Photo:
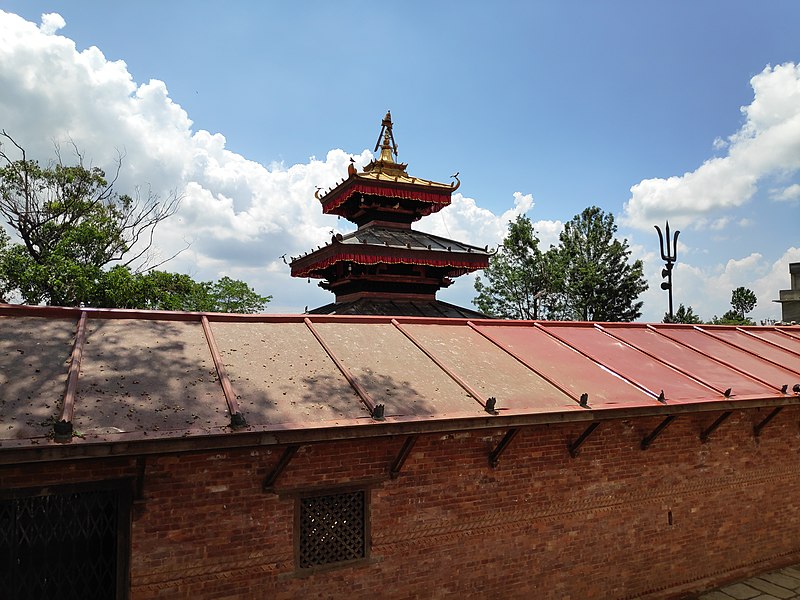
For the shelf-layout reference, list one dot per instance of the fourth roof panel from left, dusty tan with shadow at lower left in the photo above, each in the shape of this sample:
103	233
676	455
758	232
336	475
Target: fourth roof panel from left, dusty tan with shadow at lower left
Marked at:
394	371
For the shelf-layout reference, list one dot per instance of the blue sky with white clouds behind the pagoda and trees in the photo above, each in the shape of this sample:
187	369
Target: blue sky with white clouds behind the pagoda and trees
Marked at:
544	107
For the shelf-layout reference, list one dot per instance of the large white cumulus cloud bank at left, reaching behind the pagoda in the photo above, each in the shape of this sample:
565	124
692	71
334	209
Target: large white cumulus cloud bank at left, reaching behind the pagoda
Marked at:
238	217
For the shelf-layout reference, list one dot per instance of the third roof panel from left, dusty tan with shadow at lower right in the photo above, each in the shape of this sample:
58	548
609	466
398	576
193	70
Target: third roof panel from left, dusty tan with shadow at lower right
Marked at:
281	374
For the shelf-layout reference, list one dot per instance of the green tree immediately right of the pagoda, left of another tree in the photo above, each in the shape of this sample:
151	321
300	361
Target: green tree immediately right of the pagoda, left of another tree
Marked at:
519	278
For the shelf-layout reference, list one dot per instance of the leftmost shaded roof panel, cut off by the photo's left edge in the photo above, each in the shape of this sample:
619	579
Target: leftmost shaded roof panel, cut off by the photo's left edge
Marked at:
34	361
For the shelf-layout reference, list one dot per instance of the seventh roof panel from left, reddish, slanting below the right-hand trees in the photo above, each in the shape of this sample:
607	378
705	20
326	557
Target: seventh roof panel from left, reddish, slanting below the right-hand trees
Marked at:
631	364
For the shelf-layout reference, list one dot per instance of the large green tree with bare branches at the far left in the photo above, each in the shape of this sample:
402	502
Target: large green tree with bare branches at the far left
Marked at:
71	223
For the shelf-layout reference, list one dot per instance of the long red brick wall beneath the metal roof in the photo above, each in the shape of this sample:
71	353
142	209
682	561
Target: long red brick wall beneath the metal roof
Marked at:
615	522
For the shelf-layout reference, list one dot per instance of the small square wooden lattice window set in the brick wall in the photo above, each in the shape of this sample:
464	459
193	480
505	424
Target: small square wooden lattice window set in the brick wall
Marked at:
332	529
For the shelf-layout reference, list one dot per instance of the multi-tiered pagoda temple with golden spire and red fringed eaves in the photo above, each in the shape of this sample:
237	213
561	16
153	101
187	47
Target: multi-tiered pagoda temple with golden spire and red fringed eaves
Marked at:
385	267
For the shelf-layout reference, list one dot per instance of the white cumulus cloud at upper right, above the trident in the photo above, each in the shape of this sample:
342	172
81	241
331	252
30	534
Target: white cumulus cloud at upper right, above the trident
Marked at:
767	145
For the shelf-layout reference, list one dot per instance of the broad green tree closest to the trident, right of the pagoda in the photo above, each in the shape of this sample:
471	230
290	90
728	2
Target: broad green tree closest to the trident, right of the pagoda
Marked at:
600	283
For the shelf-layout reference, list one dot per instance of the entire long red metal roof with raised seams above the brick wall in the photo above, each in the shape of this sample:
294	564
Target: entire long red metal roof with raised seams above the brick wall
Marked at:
134	376
